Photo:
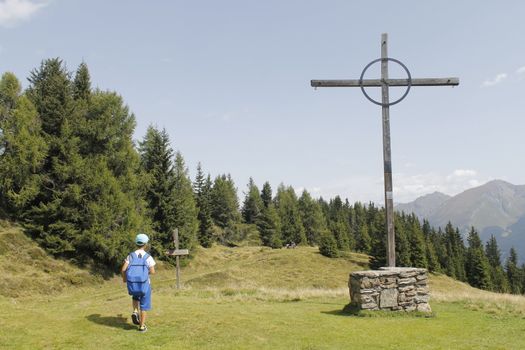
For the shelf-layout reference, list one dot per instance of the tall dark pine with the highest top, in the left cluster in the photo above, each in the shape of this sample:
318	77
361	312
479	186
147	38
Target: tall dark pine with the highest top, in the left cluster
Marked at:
56	221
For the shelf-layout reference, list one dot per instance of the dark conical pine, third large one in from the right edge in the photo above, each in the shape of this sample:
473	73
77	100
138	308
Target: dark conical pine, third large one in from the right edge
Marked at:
477	264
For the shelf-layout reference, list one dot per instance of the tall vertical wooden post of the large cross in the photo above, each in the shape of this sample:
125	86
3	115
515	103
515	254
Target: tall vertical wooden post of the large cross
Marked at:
387	159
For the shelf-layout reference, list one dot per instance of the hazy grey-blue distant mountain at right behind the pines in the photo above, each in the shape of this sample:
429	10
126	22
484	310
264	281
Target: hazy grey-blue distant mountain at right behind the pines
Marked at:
497	208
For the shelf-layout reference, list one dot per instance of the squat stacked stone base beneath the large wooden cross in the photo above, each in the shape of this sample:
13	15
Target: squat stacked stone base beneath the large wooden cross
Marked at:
390	288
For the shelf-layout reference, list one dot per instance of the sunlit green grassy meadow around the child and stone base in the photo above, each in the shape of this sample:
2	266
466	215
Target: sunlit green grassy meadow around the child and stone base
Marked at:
236	298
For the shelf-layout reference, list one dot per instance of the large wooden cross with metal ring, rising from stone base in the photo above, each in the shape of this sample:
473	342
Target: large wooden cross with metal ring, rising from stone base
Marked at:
385	103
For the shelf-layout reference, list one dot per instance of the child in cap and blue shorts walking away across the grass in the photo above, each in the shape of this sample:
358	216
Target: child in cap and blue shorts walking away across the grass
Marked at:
144	301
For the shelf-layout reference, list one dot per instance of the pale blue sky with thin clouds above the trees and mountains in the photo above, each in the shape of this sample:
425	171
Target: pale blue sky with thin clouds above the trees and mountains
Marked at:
229	80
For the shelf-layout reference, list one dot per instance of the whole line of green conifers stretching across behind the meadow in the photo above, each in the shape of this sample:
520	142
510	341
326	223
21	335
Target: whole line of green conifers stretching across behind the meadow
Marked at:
72	175
